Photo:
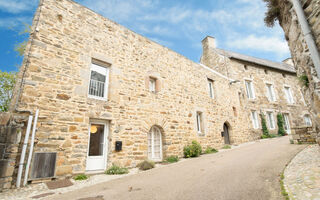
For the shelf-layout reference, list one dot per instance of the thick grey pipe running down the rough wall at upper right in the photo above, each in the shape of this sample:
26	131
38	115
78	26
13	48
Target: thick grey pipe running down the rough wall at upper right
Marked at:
307	35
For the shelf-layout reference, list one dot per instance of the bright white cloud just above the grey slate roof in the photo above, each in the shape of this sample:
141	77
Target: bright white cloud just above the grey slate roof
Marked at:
261	43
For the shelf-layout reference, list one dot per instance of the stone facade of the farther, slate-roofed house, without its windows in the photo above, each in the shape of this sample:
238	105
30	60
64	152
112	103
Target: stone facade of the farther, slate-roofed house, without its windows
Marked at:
260	75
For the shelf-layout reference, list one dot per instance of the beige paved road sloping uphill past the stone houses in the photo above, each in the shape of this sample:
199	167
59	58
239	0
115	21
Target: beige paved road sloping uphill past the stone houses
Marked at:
247	172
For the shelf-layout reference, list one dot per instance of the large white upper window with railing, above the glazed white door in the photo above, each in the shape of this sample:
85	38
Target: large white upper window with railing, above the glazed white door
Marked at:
98	87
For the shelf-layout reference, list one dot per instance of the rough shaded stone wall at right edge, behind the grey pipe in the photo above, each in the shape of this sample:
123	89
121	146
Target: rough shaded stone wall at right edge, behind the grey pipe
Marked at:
299	50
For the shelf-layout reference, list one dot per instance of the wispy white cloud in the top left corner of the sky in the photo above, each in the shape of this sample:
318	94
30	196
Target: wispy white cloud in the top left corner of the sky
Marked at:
17	6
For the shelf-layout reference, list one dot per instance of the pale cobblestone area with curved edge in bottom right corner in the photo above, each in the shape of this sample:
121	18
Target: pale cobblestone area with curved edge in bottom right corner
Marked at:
302	176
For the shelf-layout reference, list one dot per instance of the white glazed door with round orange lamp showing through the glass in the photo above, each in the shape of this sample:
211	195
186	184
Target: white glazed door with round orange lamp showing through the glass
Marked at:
98	135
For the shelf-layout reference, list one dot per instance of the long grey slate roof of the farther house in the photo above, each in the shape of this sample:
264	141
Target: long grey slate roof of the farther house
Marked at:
266	63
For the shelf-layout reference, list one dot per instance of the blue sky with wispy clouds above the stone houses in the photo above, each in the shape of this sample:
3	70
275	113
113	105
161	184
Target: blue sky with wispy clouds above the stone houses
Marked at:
179	25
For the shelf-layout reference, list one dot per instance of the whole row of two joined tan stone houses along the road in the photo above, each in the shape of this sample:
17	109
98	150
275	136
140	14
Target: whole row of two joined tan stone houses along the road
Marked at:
98	84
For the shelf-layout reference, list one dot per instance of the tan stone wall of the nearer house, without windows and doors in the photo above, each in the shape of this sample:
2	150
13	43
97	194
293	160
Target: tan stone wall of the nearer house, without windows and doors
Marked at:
66	39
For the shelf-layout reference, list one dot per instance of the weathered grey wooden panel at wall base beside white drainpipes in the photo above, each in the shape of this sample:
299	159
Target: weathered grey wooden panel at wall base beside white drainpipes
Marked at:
43	165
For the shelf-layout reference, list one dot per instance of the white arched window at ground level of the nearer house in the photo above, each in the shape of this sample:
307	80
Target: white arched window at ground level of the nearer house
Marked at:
154	144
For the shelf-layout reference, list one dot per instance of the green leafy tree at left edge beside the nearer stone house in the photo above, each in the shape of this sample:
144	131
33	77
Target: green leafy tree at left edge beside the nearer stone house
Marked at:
7	82
